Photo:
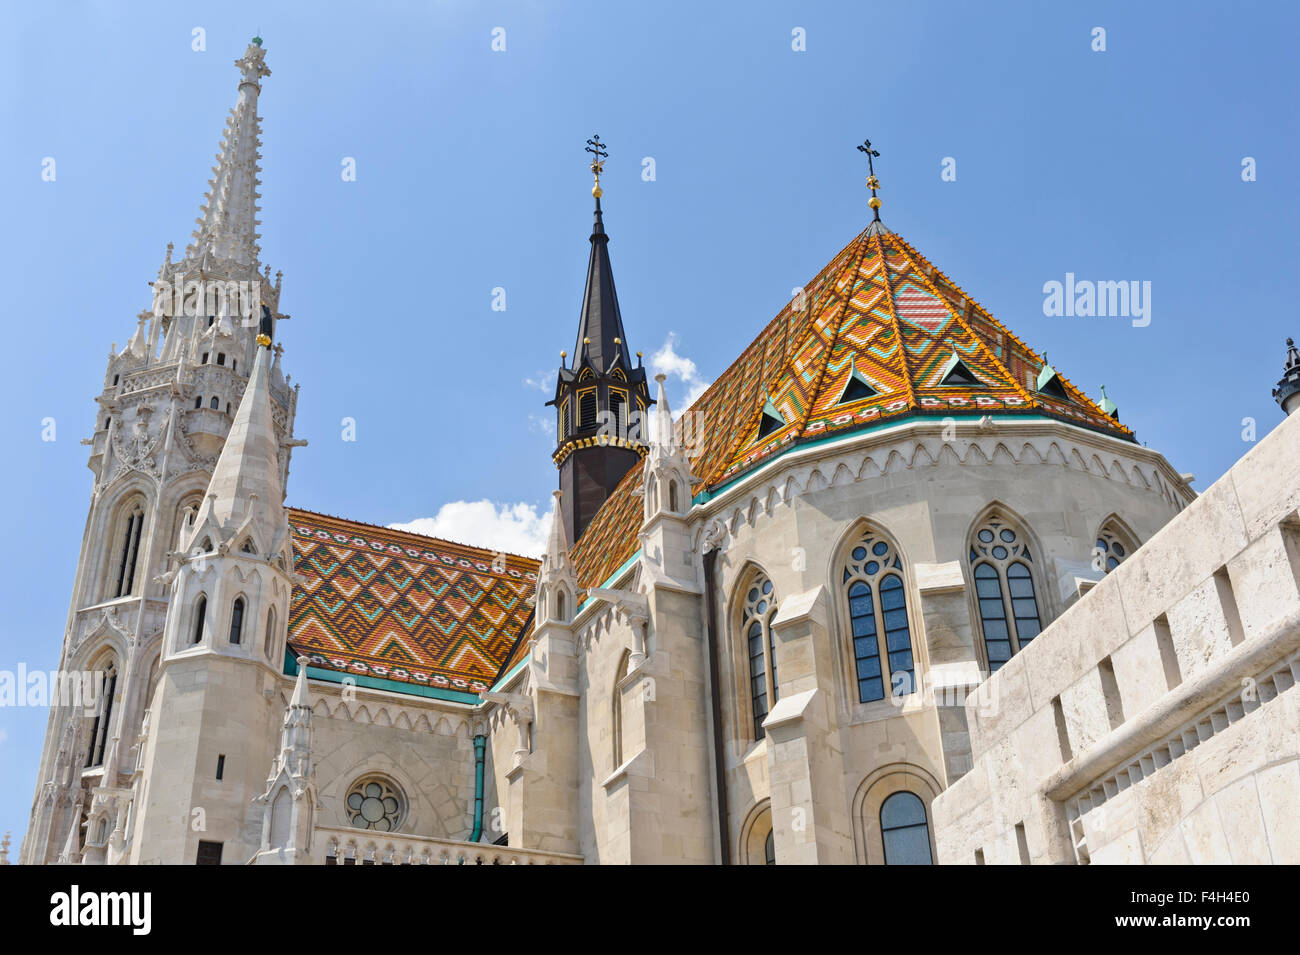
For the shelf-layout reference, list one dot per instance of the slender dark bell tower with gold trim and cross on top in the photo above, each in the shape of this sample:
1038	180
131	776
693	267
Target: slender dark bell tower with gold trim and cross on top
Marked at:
601	397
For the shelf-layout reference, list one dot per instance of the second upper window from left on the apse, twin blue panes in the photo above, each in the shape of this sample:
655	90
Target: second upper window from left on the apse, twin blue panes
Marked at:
878	609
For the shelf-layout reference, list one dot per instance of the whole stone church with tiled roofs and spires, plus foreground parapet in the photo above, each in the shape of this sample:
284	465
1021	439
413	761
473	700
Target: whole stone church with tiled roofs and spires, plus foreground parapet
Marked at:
761	633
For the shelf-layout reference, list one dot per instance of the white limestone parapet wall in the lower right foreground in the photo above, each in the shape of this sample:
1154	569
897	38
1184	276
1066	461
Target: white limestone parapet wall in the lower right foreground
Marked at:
1156	722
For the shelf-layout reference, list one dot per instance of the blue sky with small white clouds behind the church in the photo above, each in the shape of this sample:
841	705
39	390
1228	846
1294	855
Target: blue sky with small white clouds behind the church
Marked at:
1119	166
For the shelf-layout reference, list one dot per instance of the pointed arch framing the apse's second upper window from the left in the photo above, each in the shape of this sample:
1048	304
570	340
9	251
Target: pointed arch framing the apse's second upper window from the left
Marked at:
872	579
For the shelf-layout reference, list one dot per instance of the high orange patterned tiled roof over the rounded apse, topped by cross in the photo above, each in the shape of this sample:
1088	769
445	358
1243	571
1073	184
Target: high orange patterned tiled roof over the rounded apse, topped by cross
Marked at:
879	318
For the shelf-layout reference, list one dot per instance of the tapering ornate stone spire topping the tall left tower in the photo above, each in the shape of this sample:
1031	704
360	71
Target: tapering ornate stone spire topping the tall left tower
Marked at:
228	225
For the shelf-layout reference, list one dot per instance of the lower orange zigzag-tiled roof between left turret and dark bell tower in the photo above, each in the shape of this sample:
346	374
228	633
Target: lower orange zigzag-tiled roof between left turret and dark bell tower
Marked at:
404	607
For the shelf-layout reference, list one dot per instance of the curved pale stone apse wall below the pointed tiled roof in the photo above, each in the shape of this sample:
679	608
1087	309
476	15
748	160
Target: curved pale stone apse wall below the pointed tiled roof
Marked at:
926	493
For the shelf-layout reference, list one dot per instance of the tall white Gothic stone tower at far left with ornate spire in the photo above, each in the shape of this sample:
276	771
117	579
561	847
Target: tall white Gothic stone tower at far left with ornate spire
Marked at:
166	410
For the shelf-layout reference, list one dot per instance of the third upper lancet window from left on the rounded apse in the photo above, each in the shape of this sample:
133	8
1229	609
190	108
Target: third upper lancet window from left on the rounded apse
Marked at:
1002	565
